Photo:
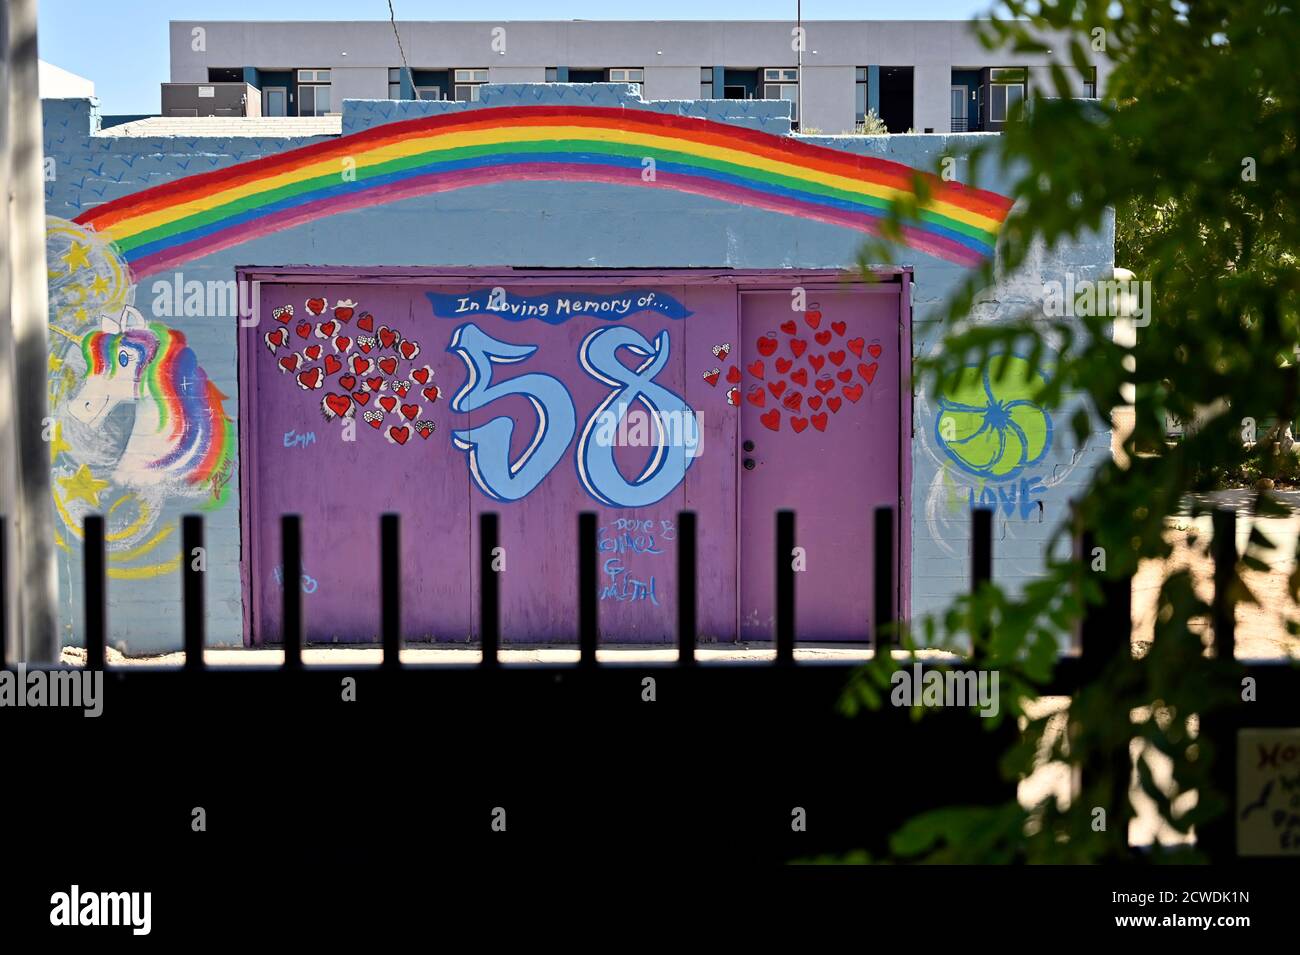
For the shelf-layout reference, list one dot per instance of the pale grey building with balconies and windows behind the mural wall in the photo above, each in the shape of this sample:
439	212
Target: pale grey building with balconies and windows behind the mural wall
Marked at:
917	76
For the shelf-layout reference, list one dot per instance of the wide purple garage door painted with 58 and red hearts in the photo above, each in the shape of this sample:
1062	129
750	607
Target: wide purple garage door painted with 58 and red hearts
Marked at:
541	398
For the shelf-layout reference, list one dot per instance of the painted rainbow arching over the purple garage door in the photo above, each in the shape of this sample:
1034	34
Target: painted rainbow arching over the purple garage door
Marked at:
179	222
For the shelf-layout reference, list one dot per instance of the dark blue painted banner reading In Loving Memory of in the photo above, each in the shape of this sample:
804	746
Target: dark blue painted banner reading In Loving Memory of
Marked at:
557	309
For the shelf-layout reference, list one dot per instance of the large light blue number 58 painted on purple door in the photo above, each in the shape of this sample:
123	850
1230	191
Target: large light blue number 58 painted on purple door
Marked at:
664	424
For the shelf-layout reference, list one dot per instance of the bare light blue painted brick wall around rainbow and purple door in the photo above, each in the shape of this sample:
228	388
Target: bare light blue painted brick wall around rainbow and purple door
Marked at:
554	225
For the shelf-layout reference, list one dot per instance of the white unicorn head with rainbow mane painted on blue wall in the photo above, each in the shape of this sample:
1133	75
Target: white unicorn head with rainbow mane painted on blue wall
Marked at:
183	440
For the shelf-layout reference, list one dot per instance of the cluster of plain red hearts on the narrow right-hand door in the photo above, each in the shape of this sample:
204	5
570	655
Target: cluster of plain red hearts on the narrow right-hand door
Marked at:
805	381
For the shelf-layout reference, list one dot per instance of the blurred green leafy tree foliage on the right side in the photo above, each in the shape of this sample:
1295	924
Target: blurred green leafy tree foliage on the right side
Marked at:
1195	153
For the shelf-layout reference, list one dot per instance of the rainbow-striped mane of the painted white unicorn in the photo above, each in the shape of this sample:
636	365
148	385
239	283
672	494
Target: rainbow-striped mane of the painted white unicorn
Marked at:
188	403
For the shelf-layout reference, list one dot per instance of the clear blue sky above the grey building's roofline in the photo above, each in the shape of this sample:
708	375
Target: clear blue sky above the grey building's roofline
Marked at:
122	45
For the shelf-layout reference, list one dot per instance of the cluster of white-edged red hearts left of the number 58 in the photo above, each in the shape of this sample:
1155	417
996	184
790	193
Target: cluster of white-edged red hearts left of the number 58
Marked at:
354	367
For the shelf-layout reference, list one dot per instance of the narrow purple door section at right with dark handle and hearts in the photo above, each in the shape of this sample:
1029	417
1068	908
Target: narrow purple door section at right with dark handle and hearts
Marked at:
820	432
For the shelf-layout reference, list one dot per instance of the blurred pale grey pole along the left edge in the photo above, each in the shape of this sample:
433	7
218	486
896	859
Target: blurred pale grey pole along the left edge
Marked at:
24	345
